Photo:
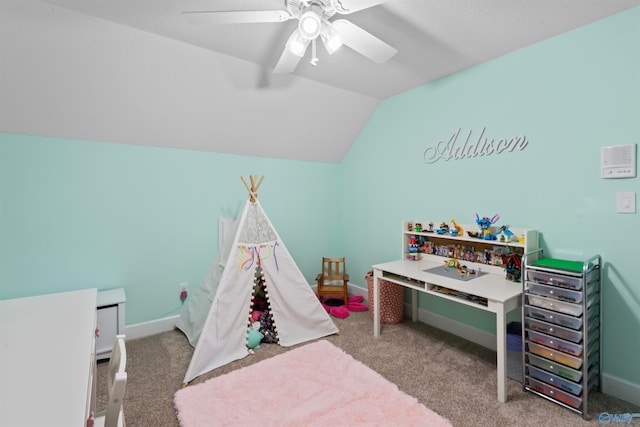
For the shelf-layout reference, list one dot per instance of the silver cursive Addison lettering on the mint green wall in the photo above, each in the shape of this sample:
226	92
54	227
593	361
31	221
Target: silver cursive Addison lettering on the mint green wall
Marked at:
481	146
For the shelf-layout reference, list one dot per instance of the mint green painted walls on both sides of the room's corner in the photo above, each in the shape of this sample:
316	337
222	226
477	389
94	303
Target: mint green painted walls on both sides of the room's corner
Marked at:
75	214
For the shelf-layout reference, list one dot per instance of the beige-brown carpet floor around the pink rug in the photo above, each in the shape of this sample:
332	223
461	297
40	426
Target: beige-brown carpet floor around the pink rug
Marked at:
447	374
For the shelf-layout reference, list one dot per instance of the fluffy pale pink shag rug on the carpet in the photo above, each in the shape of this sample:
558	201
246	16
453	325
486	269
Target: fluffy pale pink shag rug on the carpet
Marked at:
317	384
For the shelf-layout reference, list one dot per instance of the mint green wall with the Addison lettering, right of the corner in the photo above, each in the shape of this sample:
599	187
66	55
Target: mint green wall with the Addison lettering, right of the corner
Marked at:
569	96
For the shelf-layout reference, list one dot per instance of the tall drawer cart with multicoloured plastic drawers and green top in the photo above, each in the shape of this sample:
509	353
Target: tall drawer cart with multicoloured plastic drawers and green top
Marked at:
561	335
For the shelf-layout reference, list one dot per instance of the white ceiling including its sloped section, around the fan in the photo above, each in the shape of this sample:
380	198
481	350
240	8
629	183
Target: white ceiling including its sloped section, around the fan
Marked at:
211	87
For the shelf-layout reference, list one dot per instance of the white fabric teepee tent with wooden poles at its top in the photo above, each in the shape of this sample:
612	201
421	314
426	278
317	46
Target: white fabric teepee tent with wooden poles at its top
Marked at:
297	314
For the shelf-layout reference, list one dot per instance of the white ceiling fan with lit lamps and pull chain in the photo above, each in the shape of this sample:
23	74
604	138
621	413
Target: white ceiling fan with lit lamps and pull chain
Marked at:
313	22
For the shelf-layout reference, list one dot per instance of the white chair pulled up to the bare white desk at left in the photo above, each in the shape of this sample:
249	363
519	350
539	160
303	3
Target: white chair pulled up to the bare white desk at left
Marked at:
113	416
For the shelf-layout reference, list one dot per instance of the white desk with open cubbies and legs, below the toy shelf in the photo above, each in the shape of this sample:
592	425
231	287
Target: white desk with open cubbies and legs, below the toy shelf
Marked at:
502	297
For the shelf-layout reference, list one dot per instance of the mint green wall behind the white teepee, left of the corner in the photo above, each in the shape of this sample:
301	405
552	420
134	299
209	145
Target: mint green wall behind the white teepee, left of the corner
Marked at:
77	214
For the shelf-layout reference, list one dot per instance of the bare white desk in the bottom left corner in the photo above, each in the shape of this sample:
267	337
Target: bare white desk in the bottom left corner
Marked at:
47	359
